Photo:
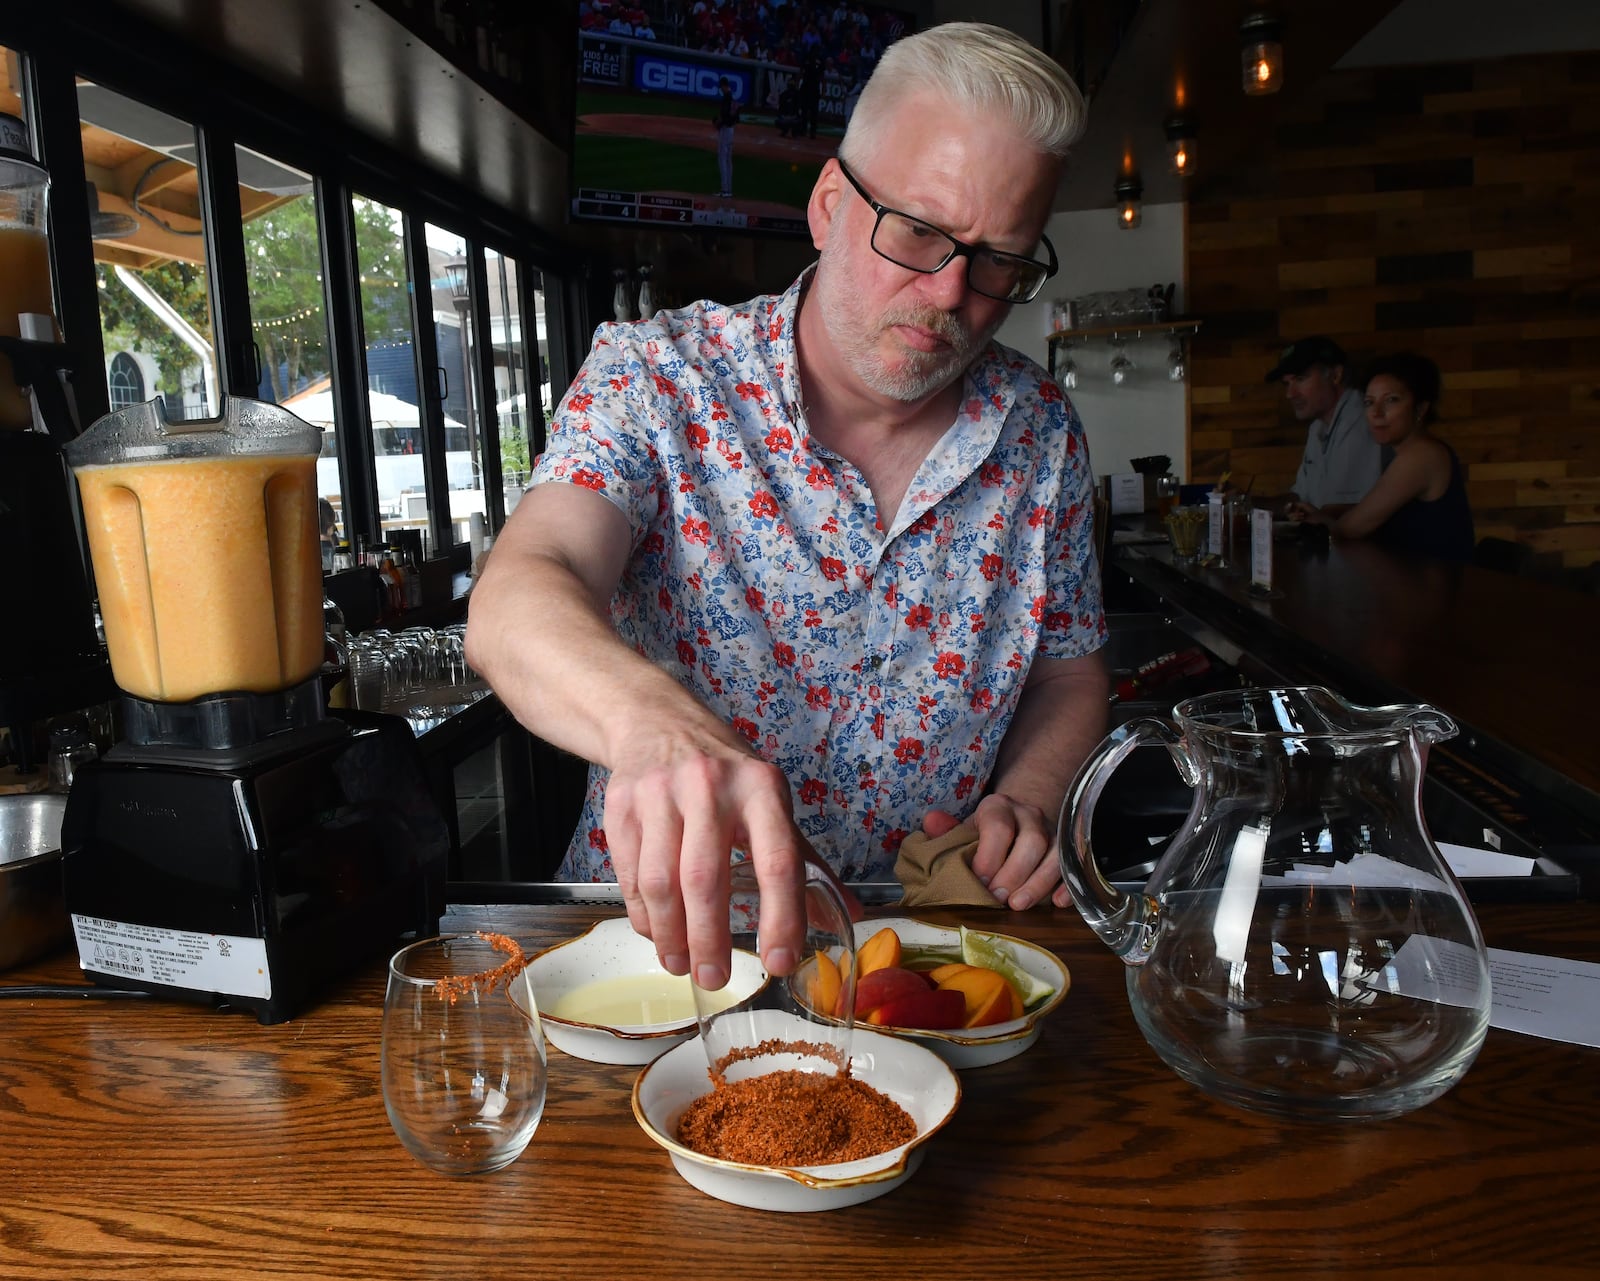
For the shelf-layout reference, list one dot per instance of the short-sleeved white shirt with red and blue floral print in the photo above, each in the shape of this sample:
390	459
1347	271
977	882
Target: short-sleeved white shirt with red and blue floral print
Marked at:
879	669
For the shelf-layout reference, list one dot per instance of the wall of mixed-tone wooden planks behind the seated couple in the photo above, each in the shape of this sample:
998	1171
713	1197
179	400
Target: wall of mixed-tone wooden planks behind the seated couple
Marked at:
1449	210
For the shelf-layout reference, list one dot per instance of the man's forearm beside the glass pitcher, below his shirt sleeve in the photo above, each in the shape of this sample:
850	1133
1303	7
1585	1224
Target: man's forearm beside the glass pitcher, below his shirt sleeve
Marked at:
1060	719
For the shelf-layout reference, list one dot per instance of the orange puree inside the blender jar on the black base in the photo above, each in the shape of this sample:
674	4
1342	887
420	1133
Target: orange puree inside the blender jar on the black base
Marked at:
210	573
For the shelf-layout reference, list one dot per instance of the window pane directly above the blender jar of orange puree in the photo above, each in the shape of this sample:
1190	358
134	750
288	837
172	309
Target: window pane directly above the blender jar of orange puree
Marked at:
151	245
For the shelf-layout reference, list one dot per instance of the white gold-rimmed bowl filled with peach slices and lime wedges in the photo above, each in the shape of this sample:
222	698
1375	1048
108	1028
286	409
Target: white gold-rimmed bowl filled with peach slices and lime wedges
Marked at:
972	997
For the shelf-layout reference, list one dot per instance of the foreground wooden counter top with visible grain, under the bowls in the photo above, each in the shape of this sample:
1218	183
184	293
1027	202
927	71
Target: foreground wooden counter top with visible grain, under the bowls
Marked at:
143	1139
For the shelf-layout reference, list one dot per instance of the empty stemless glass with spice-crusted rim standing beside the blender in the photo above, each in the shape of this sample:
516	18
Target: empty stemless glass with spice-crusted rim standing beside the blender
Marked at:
463	1053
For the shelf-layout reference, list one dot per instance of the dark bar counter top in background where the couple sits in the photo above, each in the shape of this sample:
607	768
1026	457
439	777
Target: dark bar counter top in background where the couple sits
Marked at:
1511	660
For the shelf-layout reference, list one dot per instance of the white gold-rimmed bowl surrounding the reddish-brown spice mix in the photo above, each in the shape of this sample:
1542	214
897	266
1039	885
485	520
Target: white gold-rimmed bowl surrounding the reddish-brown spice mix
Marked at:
908	1074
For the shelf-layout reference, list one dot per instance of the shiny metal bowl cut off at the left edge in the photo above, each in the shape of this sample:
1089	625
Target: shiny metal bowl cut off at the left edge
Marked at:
33	914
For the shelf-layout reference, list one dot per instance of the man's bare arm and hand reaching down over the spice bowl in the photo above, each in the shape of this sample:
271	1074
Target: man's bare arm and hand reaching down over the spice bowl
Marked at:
686	789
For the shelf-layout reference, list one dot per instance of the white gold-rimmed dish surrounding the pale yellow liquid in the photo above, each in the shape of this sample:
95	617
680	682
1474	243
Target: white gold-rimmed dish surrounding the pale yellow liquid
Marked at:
614	951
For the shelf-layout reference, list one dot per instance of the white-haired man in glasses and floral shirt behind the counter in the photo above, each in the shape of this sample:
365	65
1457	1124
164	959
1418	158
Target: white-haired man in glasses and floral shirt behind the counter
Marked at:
806	575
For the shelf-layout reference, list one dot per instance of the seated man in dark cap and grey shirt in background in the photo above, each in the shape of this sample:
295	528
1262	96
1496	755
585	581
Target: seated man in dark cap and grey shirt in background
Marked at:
1342	461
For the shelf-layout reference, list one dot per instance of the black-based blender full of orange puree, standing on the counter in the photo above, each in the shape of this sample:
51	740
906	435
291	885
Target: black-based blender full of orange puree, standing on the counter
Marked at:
239	845
